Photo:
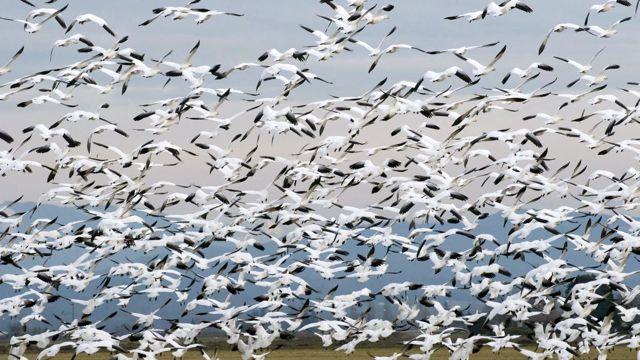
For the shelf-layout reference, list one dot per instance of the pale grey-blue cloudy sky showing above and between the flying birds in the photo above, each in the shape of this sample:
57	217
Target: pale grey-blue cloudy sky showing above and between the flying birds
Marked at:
275	24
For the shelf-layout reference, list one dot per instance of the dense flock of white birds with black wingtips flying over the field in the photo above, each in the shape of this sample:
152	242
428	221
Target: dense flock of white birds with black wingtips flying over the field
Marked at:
306	197
